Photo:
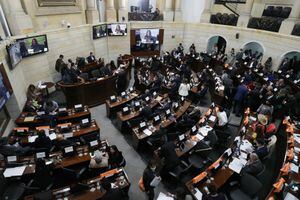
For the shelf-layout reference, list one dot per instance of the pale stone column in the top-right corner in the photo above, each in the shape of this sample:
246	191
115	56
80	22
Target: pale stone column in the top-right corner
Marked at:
287	25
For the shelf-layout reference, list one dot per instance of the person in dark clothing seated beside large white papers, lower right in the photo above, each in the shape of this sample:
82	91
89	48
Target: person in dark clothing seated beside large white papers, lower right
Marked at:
254	166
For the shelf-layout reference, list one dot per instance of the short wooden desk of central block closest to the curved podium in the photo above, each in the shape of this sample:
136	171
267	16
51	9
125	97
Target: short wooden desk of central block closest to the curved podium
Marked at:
113	108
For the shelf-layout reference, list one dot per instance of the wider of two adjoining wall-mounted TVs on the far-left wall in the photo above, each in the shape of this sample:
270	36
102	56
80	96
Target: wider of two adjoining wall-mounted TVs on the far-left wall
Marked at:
33	45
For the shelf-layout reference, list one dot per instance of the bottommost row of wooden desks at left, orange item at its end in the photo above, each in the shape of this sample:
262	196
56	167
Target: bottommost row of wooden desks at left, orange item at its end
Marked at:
117	177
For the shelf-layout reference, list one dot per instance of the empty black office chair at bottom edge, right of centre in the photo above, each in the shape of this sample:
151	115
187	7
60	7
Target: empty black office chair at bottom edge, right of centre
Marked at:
248	189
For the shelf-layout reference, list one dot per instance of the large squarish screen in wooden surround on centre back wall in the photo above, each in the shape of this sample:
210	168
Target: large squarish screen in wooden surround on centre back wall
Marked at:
147	40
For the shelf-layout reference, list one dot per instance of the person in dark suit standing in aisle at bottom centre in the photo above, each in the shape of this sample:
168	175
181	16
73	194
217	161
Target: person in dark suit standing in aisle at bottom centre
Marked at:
148	175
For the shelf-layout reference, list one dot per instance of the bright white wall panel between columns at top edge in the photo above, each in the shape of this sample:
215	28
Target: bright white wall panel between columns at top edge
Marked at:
192	10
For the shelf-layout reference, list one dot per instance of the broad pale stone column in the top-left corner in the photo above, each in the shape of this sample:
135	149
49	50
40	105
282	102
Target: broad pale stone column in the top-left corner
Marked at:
19	22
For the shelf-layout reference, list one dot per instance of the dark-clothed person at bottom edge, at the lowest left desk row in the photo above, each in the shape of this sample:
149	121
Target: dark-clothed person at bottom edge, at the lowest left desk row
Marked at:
112	193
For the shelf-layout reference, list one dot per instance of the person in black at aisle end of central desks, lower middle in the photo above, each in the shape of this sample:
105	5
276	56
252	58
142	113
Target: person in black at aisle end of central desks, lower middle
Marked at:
168	151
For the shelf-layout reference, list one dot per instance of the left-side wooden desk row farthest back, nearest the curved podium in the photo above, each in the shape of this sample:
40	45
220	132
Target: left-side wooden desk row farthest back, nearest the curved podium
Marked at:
34	119
